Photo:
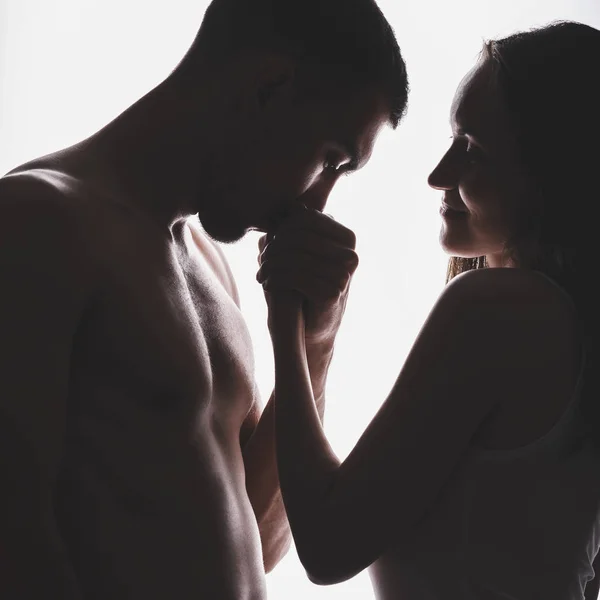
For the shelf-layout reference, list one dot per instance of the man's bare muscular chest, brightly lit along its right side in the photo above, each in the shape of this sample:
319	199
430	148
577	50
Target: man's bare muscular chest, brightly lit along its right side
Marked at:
171	336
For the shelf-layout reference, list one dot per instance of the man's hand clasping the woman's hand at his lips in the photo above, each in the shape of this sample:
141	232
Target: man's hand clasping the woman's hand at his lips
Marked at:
313	255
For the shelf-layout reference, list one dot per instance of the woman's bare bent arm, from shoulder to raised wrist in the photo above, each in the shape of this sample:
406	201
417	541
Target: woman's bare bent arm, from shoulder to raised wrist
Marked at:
488	338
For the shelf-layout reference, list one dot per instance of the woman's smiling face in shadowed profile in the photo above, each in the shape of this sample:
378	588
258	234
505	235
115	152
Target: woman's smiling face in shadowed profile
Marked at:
486	193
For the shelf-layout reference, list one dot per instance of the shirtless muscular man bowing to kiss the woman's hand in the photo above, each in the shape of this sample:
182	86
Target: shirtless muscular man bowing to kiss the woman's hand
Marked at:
134	458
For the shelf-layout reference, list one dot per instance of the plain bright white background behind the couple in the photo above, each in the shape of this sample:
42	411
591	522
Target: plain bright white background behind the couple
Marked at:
69	66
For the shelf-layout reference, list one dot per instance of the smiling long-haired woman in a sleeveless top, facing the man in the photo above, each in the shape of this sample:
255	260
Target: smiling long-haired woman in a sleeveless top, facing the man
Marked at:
480	475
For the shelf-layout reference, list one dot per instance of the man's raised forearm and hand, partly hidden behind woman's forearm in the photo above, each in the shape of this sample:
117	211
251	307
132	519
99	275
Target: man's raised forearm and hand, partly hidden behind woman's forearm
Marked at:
316	257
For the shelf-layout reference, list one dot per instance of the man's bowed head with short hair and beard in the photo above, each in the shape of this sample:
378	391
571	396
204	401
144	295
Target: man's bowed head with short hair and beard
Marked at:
299	91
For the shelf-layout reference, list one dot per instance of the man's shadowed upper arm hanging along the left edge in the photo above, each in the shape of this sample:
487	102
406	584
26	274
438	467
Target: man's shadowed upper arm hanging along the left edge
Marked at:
40	305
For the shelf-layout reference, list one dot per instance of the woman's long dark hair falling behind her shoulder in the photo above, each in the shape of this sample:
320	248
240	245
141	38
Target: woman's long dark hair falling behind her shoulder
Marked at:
549	79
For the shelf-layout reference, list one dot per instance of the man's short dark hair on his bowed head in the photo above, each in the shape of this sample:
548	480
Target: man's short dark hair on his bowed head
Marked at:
348	38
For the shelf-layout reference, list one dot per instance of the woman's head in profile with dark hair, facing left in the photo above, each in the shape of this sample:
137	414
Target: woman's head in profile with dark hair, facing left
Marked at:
519	180
